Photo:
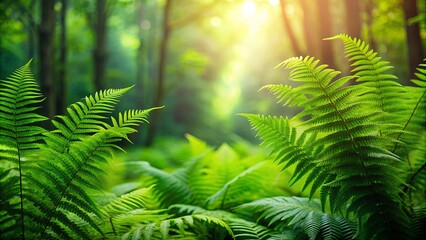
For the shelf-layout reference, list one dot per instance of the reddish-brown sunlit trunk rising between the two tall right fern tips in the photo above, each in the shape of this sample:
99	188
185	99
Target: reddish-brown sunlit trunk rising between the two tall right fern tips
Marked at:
325	27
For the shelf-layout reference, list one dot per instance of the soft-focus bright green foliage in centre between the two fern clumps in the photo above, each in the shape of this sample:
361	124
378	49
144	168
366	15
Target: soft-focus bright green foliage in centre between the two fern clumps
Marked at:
213	179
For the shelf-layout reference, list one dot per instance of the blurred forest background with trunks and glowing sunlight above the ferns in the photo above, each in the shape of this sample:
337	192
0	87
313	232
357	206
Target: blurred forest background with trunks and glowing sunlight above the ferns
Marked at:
203	59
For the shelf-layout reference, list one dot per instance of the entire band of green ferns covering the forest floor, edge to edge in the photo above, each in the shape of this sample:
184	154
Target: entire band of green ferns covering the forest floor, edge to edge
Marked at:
350	165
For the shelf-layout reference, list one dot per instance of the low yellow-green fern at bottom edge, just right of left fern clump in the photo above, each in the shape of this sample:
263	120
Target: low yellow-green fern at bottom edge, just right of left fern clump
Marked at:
135	216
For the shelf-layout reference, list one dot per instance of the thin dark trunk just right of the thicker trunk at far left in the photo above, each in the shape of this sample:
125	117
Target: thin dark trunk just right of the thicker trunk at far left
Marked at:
61	98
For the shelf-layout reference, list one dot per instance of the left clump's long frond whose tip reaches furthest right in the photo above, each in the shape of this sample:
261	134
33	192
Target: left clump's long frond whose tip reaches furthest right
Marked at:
61	188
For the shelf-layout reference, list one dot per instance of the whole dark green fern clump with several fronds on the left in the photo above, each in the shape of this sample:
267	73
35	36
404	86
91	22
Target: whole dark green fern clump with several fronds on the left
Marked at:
47	176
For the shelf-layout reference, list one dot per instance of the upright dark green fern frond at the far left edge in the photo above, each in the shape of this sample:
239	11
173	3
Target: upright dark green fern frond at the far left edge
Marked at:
19	98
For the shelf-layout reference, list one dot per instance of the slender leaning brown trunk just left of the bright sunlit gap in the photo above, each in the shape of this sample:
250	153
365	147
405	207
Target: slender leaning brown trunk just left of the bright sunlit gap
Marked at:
159	94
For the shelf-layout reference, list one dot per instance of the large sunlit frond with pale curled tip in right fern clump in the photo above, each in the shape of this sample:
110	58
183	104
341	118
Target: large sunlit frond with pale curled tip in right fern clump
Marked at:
356	154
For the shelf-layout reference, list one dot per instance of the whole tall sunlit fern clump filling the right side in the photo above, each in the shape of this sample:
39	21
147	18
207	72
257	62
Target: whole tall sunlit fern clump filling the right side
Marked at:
353	142
